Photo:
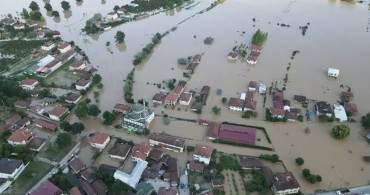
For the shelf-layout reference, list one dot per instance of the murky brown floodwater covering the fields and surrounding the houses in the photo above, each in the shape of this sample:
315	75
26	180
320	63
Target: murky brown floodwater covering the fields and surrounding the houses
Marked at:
336	37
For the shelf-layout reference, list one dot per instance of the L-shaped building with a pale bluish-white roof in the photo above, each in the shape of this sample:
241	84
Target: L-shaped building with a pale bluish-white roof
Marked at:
133	178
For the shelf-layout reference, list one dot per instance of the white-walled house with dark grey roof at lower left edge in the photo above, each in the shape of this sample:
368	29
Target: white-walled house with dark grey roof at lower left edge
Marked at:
10	168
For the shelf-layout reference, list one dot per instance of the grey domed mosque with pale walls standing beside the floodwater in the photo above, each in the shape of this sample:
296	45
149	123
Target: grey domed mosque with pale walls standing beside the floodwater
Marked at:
138	118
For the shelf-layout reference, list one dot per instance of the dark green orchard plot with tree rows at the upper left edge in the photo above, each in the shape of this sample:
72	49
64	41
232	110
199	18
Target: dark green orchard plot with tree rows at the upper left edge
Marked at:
18	49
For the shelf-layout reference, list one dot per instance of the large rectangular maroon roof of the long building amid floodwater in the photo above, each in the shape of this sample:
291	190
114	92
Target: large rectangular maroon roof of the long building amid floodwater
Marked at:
239	134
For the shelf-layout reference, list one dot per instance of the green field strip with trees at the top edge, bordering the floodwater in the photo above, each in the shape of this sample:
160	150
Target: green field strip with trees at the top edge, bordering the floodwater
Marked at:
146	6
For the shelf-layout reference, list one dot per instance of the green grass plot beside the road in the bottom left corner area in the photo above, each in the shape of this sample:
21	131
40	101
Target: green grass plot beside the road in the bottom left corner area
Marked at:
33	173
